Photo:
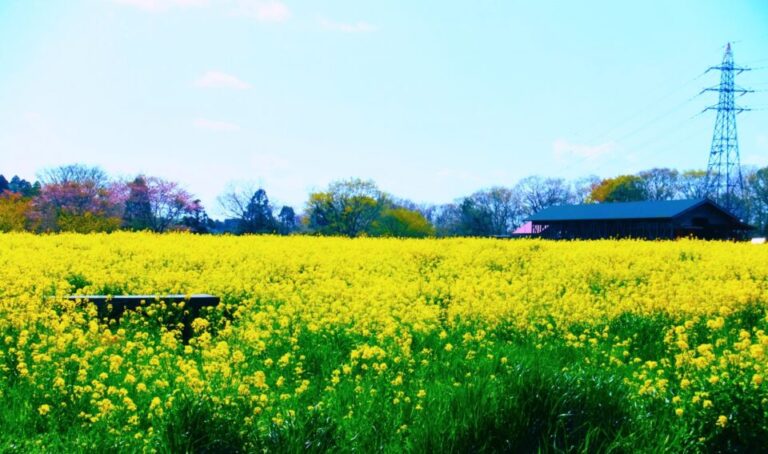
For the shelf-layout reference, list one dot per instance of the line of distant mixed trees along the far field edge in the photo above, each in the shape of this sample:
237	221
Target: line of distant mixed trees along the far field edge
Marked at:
78	198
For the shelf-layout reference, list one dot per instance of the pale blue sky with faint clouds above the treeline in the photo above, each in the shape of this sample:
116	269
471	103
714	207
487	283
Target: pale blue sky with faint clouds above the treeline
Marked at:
432	100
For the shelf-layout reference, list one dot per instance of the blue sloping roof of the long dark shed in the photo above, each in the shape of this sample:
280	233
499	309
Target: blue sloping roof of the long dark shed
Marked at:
662	209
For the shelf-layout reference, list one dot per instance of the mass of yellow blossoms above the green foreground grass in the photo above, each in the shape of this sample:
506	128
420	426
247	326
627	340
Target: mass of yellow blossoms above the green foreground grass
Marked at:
394	303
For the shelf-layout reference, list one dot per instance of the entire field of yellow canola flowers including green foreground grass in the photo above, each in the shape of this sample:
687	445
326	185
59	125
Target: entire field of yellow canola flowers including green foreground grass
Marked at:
384	345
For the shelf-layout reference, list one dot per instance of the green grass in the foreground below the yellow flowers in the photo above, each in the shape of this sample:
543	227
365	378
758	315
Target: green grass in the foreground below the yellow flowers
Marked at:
547	396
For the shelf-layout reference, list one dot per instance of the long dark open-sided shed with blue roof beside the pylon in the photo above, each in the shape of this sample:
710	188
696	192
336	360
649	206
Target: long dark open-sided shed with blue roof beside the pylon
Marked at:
668	219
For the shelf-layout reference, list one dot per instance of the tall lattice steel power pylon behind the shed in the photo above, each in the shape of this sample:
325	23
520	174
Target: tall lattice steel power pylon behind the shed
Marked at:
724	182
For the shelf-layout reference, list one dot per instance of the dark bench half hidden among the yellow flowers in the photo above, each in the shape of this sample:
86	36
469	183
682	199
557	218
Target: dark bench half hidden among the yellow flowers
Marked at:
113	307
